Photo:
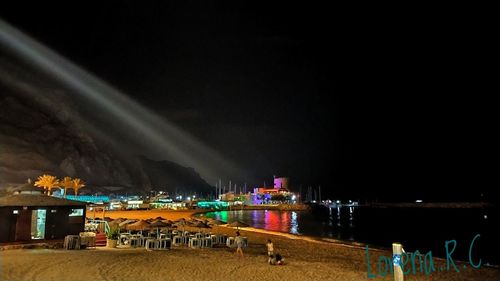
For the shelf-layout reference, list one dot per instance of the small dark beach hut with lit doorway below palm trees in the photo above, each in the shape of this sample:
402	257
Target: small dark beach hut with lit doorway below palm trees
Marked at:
35	217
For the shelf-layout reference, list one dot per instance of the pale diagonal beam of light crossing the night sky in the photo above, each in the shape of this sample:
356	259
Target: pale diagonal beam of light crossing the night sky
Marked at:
167	140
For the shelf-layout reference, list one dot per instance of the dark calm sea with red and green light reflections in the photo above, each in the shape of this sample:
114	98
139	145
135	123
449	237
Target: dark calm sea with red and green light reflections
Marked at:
419	229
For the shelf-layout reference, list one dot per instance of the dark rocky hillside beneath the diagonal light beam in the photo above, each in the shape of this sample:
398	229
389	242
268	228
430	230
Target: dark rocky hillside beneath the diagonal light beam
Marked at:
37	136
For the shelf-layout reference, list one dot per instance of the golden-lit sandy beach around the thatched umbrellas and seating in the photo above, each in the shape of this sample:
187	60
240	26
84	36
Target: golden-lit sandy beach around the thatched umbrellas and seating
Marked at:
306	259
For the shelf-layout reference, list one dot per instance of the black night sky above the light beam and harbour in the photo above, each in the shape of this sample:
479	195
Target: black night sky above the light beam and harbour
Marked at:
365	104
